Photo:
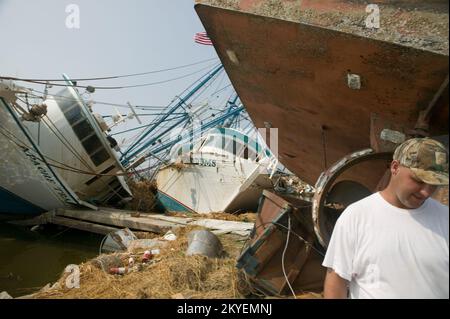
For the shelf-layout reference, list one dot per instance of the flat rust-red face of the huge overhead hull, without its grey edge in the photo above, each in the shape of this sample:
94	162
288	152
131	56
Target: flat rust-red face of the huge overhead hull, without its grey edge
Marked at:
294	76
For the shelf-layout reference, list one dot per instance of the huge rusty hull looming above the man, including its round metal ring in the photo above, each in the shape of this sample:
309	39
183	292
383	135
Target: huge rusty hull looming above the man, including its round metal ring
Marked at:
341	95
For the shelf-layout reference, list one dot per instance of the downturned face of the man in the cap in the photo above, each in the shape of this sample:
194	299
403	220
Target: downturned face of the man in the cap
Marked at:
410	191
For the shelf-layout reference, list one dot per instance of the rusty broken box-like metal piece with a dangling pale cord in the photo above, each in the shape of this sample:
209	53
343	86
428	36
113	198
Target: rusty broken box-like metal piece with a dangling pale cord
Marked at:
261	260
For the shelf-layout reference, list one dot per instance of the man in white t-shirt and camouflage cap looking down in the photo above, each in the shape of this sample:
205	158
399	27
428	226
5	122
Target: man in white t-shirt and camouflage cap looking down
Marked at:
395	243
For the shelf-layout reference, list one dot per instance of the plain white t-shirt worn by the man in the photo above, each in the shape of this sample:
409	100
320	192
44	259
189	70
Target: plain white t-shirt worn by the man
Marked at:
389	252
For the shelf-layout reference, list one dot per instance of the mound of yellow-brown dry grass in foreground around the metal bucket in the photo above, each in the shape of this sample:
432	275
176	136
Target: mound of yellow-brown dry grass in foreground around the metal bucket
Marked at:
169	273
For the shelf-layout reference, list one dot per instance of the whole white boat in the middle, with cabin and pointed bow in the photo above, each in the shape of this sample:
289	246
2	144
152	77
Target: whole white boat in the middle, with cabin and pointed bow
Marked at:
224	171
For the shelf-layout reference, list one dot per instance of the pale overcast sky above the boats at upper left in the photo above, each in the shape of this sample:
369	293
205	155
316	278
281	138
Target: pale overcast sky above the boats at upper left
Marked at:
114	37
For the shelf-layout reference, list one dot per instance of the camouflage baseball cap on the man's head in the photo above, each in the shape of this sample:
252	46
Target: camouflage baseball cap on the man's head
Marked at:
427	158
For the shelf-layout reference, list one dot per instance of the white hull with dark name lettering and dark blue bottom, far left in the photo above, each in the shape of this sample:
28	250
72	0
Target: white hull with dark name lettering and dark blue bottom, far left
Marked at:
28	186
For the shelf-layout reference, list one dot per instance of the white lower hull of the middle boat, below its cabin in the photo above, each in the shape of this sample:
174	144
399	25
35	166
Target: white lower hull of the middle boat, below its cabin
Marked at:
203	190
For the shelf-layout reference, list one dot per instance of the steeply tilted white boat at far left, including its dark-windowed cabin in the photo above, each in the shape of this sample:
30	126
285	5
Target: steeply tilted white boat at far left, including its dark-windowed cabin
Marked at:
55	154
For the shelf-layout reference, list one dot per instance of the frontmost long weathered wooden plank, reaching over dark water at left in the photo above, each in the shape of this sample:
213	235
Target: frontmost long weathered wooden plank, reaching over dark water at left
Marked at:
122	220
